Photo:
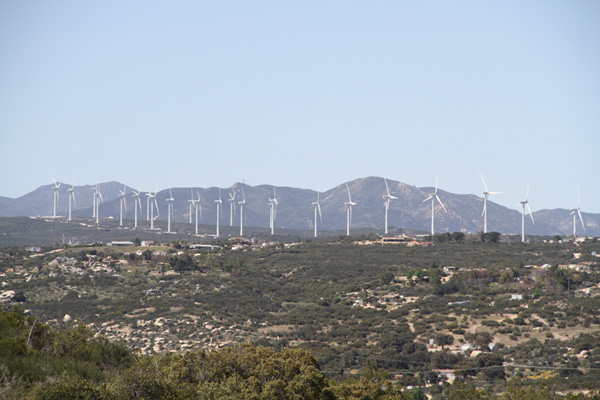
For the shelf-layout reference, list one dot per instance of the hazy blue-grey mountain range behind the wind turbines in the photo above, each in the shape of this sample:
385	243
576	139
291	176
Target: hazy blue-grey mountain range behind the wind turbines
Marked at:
295	210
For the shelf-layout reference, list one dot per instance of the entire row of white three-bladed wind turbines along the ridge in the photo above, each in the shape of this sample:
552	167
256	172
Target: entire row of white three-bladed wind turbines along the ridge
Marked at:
196	208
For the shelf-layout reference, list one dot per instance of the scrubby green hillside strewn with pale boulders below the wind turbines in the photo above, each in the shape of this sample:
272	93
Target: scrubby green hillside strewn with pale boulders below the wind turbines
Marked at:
334	319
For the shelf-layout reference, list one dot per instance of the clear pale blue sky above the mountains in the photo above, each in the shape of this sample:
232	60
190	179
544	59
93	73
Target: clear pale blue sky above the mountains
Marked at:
307	94
